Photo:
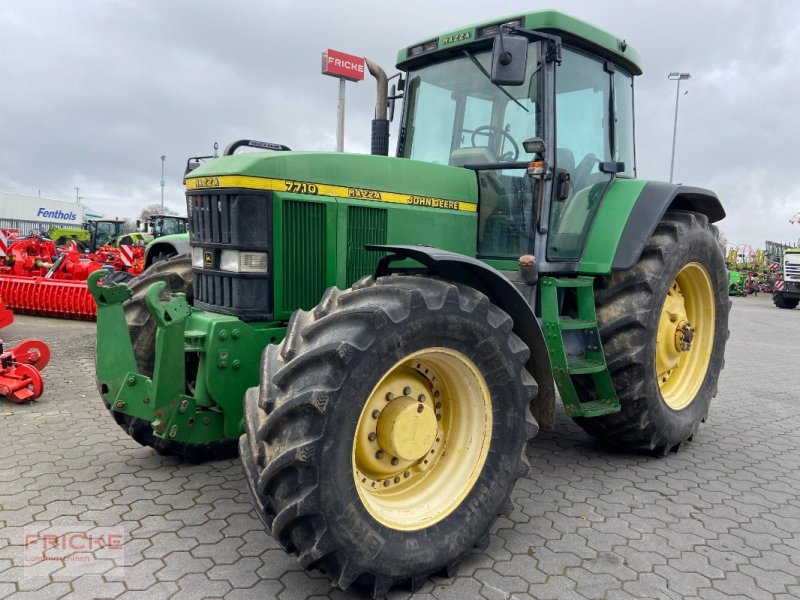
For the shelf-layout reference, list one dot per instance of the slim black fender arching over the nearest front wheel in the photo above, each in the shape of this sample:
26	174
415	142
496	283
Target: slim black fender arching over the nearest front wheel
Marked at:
503	293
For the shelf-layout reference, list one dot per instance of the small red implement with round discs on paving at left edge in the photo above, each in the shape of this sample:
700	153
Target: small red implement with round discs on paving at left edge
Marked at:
21	366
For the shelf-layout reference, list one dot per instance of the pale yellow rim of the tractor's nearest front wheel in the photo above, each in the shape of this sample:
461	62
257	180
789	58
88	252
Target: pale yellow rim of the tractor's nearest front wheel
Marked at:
422	439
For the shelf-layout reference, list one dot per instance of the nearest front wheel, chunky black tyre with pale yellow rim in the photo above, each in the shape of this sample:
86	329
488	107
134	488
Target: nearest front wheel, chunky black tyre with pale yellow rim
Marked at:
388	430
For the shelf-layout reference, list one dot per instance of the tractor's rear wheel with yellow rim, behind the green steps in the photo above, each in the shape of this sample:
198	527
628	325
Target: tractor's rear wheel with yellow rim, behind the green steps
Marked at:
664	325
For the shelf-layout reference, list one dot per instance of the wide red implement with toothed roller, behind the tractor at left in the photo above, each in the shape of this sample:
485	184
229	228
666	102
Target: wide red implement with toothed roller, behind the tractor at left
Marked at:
36	278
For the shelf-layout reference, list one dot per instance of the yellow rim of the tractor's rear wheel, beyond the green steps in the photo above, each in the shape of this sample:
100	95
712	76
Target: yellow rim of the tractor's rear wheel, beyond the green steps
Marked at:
685	336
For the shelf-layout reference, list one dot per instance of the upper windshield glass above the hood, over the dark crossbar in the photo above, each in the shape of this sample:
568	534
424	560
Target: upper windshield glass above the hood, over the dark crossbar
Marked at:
457	116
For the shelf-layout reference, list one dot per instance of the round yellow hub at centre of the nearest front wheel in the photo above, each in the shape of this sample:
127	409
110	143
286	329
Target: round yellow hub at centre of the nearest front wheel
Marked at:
407	428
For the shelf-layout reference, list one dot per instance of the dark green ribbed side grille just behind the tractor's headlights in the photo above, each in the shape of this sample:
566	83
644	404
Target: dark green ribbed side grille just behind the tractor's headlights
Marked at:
304	254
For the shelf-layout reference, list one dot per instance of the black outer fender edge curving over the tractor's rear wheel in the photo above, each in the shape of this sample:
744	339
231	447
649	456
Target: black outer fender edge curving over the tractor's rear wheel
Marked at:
651	205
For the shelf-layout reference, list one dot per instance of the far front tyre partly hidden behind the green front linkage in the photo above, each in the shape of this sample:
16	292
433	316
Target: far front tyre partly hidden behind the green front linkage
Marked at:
176	272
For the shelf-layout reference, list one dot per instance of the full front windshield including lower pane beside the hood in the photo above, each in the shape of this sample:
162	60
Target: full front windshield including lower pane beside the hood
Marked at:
457	116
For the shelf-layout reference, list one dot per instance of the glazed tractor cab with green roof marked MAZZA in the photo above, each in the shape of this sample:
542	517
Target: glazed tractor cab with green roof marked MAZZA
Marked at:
545	133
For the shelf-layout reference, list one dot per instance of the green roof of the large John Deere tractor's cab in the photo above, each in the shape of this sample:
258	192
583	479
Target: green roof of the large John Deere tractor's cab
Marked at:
573	31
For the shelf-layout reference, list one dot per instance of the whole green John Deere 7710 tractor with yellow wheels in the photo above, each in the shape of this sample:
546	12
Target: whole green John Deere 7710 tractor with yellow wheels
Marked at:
395	325
